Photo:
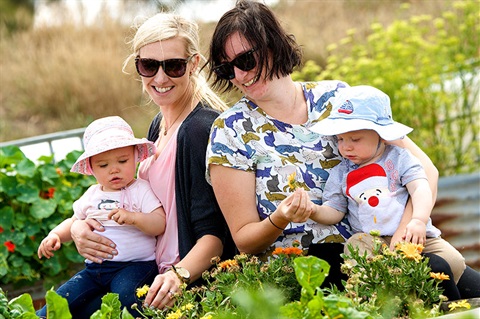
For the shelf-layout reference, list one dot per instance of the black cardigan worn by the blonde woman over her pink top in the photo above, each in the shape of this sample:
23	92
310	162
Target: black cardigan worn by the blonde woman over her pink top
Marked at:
198	212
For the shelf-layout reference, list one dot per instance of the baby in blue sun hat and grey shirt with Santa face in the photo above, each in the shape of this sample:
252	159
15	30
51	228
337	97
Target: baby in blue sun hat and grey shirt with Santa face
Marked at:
375	179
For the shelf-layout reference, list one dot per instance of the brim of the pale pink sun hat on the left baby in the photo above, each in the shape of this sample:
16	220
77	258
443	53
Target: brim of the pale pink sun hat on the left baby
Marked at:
144	149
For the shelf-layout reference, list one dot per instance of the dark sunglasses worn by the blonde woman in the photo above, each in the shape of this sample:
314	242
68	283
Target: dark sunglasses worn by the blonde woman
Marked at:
174	68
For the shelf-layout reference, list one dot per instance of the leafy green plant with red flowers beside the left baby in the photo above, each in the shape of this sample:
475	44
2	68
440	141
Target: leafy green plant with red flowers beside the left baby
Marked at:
34	198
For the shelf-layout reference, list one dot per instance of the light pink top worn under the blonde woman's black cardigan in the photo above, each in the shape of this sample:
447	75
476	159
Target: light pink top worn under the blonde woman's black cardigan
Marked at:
160	173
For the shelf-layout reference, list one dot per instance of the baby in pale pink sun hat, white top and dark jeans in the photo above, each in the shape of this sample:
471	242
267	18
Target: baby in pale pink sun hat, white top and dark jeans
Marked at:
131	215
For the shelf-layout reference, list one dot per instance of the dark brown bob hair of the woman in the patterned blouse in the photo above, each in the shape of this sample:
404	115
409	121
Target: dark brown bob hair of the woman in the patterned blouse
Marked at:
259	26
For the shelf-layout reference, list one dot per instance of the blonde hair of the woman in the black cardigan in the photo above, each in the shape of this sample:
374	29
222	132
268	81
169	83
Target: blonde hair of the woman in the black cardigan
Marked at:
164	26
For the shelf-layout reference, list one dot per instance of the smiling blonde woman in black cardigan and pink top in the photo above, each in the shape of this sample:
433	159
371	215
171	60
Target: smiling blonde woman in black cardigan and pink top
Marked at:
166	53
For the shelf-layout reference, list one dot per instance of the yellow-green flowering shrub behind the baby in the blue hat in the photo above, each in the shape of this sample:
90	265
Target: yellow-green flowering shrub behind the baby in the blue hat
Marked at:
429	68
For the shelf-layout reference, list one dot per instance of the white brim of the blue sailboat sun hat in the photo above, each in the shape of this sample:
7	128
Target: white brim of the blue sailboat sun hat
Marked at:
389	132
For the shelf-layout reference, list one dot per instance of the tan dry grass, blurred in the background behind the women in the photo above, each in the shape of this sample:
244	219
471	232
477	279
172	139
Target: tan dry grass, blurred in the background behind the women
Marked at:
60	78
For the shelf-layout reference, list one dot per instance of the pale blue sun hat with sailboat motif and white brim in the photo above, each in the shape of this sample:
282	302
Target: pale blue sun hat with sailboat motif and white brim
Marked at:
362	107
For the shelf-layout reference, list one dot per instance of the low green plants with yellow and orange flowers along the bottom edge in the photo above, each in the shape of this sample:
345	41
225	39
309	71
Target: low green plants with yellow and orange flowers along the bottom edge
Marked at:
389	284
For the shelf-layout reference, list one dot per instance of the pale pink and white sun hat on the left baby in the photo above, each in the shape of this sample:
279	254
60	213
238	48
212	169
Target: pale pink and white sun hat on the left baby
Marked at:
106	134
